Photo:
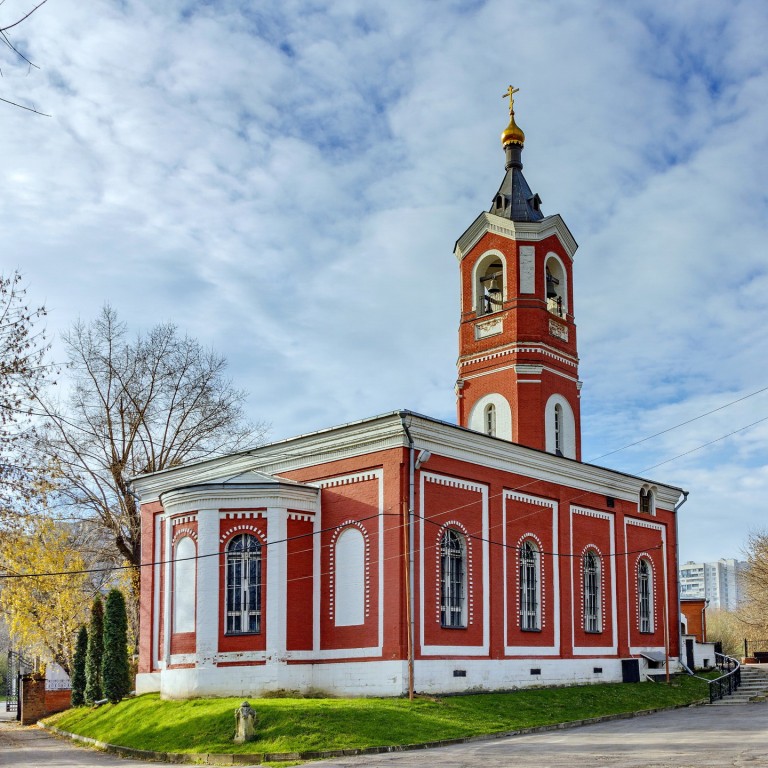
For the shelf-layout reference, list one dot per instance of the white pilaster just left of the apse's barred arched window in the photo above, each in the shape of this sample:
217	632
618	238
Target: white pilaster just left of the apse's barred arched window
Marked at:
207	613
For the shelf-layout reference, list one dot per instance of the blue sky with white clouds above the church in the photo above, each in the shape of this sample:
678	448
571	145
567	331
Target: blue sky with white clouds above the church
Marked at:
285	181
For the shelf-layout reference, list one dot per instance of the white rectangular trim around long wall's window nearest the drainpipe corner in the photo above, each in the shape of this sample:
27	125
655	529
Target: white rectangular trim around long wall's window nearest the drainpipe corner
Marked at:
451	650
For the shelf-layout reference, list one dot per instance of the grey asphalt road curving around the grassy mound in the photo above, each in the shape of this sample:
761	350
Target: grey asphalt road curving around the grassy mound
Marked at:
696	737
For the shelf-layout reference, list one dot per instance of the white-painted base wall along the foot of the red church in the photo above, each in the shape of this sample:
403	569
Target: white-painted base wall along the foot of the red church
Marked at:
379	678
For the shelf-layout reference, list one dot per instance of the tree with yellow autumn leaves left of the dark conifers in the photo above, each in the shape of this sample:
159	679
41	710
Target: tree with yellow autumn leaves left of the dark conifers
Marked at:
44	612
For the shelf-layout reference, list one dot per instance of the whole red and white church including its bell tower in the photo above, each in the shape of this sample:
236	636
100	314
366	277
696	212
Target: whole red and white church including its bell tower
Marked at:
401	552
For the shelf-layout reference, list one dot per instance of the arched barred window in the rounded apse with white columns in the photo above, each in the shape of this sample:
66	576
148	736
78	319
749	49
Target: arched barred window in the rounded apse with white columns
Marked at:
243	564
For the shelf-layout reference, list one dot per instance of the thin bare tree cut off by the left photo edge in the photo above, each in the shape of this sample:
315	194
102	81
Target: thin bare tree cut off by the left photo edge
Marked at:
22	375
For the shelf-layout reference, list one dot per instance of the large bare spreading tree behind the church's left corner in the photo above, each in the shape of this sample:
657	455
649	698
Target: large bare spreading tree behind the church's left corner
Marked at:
136	406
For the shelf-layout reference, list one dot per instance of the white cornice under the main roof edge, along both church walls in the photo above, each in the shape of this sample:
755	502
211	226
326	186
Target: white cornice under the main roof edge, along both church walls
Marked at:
386	432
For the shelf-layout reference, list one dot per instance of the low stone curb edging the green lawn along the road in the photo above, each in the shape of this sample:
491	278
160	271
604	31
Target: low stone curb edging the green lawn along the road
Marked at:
257	758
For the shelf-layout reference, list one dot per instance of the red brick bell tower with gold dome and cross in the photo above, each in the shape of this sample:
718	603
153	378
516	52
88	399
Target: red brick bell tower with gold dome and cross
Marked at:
518	365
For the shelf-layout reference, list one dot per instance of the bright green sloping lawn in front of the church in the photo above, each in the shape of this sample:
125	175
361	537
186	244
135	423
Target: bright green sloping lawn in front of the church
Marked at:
296	724
